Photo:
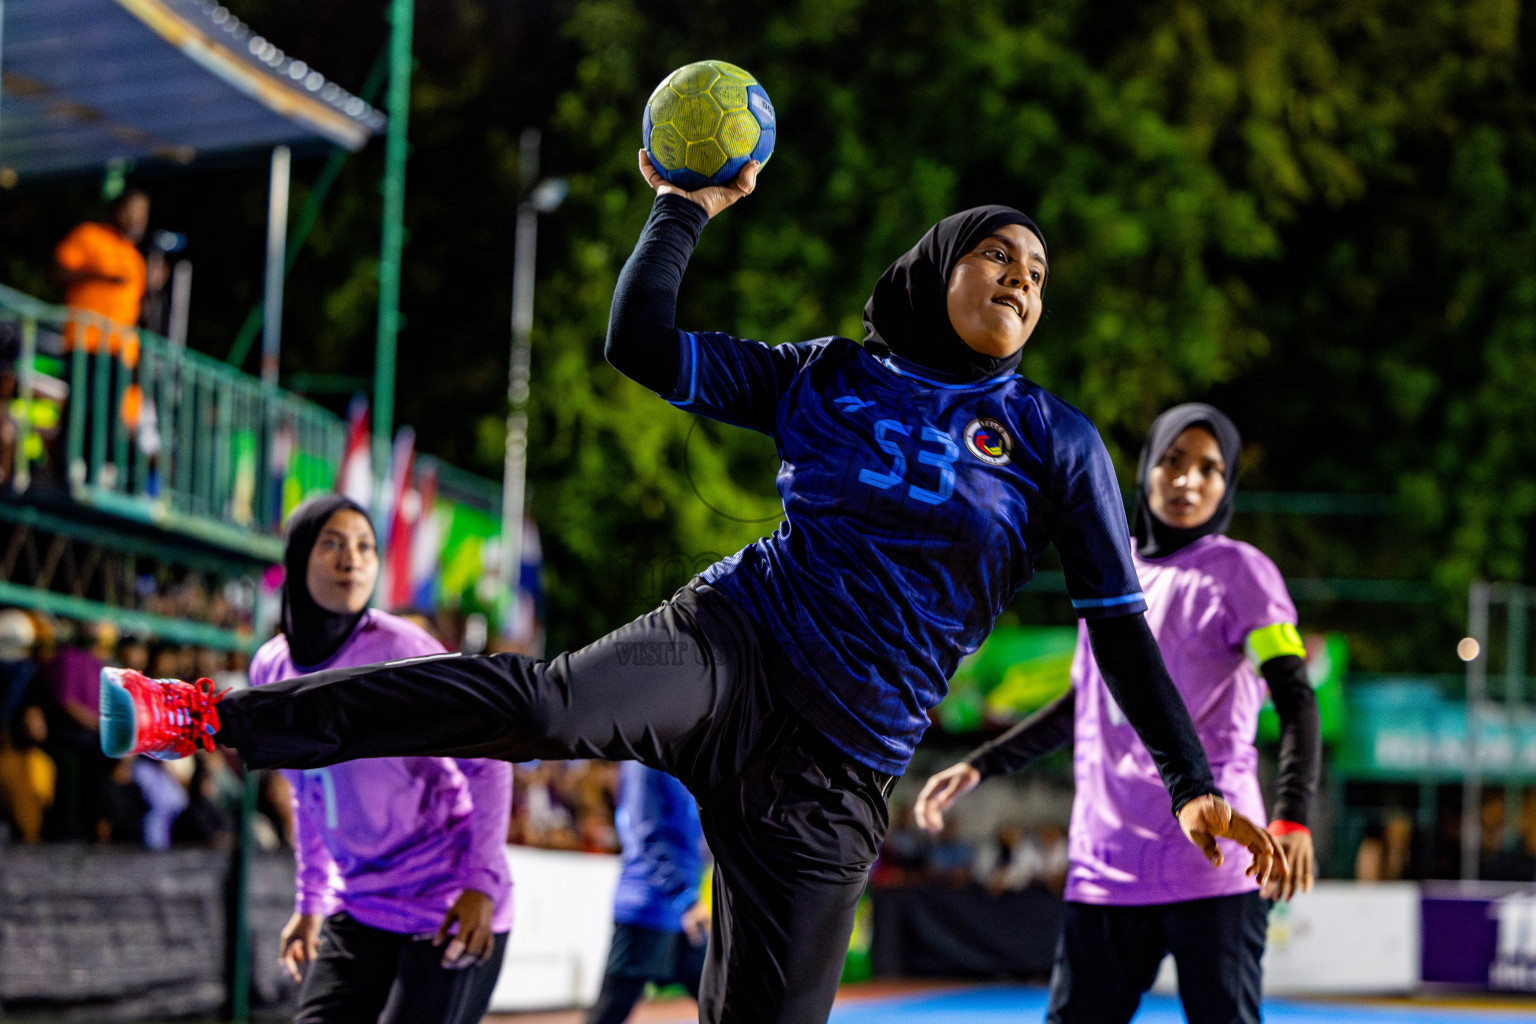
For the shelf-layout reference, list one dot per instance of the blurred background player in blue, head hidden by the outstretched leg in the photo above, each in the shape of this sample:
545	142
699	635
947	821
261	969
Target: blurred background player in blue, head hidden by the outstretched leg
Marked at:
660	922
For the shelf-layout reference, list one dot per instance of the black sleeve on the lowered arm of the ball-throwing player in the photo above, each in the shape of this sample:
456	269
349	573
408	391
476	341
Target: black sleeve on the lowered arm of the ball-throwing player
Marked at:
1133	669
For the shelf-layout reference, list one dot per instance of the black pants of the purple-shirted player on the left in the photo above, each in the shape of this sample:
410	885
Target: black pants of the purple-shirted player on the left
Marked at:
366	976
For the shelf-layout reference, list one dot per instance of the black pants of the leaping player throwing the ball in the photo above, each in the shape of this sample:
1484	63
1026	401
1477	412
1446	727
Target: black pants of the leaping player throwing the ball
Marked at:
793	822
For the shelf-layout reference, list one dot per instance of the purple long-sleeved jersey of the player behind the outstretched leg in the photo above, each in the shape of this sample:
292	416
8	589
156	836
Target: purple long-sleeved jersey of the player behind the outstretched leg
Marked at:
394	841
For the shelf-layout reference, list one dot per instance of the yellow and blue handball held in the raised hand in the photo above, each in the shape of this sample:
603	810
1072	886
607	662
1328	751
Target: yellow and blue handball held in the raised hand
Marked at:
706	122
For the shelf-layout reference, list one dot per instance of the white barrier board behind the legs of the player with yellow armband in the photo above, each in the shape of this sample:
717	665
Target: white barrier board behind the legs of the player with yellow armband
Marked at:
1343	939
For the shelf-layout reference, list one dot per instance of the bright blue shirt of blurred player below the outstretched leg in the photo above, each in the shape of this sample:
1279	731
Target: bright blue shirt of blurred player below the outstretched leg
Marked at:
663	860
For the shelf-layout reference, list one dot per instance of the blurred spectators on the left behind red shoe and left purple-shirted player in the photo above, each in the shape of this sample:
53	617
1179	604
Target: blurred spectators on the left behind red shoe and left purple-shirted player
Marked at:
58	787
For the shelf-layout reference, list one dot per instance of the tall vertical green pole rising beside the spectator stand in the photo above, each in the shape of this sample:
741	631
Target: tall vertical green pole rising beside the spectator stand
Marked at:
396	153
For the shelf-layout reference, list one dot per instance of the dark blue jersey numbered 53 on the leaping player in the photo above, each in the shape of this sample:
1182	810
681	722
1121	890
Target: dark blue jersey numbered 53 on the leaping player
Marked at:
915	510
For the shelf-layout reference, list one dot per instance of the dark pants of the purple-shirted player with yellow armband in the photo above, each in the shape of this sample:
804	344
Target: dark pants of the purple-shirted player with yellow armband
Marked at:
1108	959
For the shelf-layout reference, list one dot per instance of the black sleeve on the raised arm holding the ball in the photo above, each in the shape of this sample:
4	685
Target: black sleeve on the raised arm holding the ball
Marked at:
643	334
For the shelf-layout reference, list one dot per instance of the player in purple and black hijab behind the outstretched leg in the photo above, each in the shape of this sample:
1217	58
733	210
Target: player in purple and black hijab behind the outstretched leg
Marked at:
389	854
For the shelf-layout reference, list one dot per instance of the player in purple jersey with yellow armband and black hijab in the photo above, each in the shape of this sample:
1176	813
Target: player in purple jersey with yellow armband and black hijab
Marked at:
1136	891
